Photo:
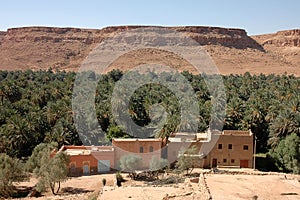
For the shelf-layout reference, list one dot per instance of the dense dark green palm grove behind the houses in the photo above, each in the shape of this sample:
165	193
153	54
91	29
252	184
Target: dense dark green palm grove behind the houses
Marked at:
35	107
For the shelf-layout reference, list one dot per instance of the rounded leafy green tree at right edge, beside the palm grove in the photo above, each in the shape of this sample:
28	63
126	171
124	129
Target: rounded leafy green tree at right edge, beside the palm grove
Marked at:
287	154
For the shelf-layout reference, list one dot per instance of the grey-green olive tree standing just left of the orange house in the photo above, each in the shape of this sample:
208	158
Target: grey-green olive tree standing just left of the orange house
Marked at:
50	169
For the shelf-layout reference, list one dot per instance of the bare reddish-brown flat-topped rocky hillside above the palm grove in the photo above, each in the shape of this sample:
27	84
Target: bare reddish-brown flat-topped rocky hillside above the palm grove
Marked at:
232	50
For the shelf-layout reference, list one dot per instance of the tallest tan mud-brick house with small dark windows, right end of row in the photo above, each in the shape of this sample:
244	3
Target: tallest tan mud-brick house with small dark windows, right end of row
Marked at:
230	148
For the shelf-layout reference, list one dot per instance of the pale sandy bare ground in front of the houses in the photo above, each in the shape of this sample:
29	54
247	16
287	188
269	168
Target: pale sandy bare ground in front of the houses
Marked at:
220	186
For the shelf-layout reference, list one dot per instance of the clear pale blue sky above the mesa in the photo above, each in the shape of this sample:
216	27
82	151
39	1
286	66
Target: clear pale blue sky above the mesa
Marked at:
256	16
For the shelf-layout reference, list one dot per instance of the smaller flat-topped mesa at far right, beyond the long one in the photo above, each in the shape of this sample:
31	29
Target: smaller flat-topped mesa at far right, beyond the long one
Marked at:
288	38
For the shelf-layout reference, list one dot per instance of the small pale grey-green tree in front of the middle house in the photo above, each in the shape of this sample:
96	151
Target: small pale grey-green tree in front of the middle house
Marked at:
130	163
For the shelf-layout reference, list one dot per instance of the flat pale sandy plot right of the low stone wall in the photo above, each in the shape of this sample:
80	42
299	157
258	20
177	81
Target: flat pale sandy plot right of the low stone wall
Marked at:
265	187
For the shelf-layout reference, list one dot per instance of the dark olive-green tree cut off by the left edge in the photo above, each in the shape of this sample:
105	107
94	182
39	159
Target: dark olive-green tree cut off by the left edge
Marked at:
12	171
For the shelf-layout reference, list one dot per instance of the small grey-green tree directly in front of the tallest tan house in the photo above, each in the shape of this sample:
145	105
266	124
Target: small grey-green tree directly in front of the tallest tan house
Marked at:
187	160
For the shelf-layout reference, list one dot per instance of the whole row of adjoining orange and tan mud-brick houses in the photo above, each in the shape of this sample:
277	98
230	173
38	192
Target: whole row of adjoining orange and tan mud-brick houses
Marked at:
229	148
